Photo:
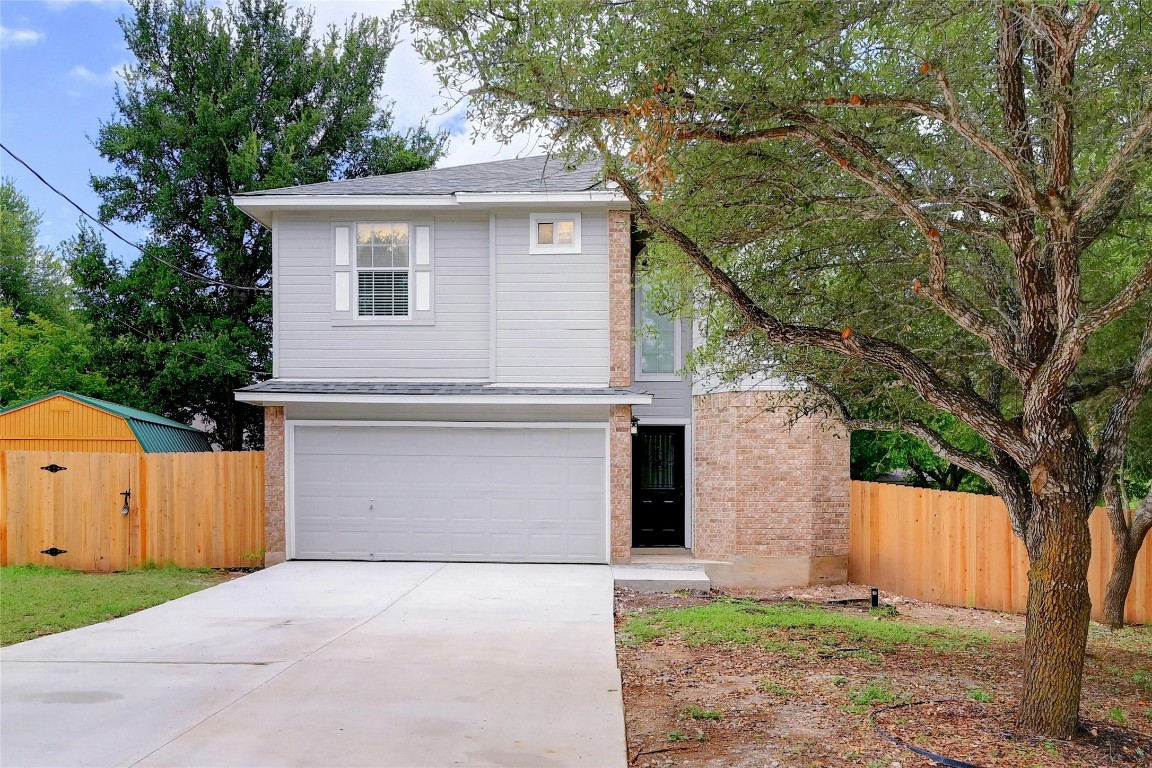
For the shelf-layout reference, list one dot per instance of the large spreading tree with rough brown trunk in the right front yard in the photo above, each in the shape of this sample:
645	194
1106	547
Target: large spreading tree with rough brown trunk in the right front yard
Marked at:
903	203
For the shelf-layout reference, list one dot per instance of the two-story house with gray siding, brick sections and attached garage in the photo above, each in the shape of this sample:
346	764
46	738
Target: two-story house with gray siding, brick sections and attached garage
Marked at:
457	378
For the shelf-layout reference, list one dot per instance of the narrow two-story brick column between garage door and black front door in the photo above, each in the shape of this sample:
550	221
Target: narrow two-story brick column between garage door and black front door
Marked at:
620	375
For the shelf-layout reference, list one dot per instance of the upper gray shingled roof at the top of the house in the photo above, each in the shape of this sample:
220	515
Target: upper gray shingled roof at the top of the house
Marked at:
539	174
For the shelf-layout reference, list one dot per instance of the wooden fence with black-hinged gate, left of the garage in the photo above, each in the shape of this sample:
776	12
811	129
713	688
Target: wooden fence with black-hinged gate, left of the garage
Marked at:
196	511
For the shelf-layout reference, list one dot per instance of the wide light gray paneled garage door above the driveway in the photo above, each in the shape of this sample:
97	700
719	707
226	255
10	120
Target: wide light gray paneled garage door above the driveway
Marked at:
450	493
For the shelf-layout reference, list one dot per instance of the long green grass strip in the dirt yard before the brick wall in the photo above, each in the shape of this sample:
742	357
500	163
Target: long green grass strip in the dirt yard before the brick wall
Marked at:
791	628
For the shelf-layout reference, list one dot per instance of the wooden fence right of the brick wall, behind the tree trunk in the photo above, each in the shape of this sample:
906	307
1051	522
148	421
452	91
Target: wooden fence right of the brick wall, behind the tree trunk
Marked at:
959	550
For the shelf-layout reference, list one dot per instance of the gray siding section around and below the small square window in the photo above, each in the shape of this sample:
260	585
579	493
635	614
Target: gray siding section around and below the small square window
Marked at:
552	309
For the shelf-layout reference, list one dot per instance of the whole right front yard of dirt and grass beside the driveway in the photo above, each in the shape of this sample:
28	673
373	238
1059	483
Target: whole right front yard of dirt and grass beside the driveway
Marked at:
801	686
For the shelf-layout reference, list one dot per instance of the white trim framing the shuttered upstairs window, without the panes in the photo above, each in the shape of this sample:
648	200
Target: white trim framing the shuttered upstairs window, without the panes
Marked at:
352	317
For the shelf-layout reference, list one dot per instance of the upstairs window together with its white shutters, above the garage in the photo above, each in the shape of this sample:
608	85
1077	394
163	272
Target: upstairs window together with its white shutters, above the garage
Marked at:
383	271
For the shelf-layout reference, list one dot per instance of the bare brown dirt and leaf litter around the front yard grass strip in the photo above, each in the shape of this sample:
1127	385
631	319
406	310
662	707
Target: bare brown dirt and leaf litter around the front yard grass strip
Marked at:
764	709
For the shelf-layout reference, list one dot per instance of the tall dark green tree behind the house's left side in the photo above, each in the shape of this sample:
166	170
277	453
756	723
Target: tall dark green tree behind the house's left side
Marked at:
221	101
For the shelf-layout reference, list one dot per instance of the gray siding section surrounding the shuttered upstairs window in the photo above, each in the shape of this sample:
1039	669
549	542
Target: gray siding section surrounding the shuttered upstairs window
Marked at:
309	345
